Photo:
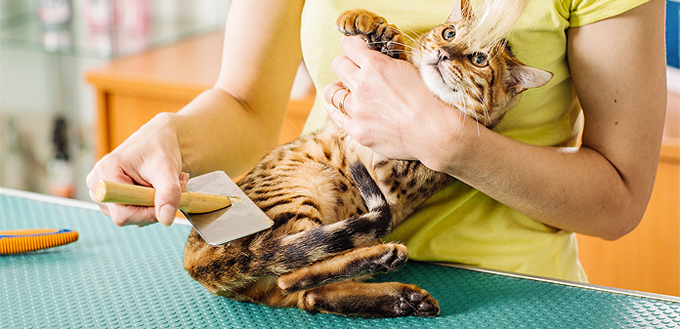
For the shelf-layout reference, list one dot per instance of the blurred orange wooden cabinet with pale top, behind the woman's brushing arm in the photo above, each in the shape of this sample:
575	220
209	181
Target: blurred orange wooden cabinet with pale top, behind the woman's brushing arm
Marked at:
132	90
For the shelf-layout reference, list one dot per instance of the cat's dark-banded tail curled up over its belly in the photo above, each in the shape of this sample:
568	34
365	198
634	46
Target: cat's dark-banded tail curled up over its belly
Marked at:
307	247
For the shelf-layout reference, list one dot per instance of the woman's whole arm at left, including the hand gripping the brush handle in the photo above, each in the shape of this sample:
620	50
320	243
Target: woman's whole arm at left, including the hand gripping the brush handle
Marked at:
228	127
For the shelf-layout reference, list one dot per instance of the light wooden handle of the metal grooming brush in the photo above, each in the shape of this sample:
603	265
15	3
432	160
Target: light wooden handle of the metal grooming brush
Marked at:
135	195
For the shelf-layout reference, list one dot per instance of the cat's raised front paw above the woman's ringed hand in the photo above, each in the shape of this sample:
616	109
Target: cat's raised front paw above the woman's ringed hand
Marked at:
379	35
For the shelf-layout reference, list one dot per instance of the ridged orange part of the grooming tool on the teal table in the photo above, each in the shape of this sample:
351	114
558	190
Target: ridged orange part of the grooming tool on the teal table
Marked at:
19	244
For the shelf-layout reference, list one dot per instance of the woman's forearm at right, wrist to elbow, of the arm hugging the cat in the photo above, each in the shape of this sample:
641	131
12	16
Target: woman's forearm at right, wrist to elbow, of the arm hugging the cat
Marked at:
573	189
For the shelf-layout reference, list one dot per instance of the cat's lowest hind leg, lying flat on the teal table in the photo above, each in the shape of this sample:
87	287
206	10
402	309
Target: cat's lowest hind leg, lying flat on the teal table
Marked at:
388	299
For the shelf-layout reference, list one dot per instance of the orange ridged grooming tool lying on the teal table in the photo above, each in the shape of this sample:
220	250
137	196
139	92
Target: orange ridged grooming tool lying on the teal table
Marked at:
18	241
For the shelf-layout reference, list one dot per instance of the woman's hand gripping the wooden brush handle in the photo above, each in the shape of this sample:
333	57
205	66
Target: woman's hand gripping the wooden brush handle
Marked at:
150	157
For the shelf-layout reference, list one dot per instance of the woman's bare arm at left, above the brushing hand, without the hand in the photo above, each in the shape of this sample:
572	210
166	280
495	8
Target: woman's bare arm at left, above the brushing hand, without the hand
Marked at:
233	125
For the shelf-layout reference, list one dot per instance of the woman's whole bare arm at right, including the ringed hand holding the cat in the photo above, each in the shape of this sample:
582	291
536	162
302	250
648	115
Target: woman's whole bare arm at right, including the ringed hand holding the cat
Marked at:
600	189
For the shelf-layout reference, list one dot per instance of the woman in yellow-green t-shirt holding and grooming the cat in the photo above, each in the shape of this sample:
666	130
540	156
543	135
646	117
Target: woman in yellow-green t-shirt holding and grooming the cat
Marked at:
523	190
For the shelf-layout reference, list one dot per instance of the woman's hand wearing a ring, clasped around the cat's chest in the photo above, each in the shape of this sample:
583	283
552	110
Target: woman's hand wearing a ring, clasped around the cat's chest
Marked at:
388	109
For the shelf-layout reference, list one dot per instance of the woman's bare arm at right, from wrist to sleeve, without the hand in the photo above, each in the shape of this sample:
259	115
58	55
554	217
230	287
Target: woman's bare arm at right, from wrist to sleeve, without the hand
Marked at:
601	189
